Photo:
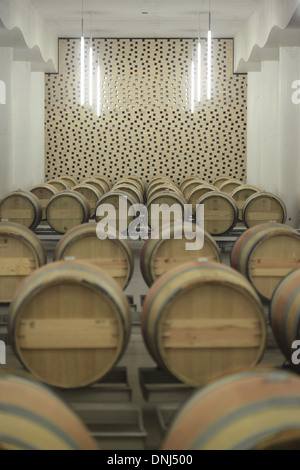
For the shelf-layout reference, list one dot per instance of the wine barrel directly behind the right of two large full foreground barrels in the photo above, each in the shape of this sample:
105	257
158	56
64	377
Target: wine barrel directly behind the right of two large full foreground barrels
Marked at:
166	250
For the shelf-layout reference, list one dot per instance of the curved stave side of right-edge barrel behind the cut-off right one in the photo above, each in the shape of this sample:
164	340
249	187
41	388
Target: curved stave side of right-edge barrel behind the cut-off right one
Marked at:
249	241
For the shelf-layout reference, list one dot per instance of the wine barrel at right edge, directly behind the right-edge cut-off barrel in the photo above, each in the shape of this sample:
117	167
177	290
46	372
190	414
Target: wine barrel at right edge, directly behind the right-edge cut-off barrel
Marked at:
265	254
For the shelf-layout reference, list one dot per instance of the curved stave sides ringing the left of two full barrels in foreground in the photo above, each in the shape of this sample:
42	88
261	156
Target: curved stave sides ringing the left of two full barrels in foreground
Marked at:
78	272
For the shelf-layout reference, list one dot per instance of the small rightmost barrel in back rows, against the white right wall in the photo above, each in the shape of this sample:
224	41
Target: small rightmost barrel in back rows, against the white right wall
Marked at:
262	208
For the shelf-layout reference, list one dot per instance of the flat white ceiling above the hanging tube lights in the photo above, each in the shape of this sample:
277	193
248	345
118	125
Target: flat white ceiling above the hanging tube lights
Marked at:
145	18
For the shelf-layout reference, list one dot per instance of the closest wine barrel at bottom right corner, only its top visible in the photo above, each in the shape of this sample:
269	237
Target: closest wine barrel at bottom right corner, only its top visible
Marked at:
251	410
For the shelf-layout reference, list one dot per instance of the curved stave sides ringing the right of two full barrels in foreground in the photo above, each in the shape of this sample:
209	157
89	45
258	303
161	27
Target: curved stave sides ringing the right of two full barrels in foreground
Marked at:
157	305
